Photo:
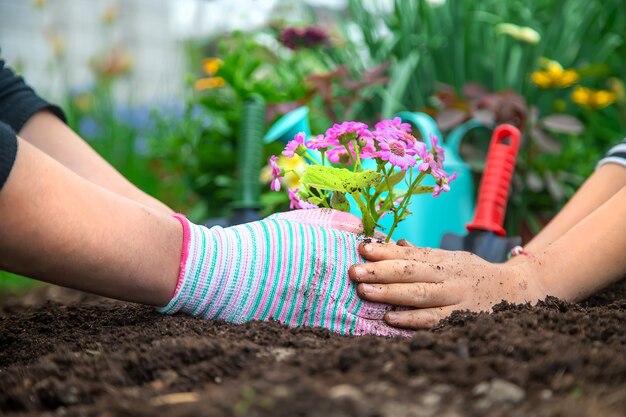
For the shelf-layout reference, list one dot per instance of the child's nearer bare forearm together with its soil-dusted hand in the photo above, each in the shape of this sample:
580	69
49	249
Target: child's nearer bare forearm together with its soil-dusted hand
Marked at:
589	256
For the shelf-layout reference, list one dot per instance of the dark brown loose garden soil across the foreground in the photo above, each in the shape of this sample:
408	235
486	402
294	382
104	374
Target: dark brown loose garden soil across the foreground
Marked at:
84	356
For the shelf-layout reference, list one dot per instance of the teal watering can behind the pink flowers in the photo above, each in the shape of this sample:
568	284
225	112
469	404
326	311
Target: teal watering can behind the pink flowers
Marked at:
432	217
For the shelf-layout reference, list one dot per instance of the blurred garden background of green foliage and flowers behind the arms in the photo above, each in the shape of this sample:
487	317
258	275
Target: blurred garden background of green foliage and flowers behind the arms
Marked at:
158	87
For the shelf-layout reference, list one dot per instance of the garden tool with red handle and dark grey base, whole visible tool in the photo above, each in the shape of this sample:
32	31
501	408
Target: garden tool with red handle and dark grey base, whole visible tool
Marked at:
486	237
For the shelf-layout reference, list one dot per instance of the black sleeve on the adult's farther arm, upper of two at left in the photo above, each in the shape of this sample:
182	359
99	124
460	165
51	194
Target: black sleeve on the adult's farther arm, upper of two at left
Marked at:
18	102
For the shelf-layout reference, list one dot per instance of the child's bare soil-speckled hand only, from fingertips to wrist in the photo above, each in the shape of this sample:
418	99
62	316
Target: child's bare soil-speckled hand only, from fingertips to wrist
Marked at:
432	283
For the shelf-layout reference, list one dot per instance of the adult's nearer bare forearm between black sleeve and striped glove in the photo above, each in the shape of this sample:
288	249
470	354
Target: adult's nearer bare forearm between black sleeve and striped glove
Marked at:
59	227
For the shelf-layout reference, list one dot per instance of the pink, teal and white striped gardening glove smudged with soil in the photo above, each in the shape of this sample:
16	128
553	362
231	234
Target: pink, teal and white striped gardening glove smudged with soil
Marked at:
291	267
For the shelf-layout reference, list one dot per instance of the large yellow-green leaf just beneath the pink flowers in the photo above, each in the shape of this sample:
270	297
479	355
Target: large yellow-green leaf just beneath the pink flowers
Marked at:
340	179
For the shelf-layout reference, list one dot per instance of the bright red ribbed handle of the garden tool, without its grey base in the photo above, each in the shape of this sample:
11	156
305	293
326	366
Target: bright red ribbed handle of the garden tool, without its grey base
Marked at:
494	186
